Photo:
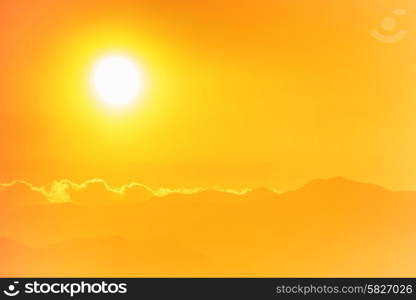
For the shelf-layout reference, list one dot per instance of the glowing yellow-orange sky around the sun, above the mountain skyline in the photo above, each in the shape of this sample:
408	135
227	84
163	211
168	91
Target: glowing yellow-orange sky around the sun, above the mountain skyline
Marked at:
240	93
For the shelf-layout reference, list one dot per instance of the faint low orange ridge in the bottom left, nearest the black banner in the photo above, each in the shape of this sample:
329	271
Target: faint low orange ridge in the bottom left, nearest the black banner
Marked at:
100	257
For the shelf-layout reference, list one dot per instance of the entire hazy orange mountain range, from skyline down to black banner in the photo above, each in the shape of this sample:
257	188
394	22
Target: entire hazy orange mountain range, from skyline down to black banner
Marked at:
333	227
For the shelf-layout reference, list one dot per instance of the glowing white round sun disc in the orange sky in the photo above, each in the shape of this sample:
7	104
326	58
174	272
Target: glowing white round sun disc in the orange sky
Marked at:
117	81
